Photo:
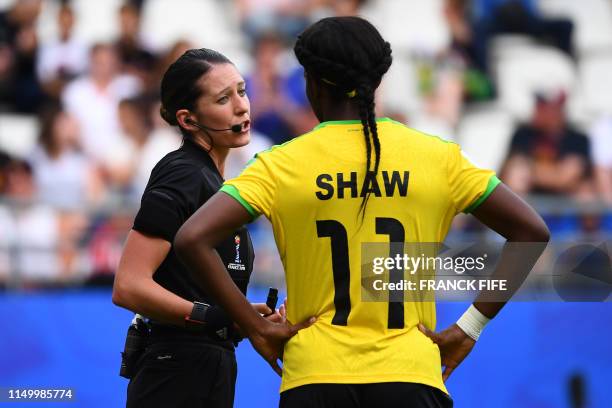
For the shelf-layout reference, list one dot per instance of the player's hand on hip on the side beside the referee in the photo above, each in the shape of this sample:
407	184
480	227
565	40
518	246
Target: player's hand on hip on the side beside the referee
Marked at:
270	338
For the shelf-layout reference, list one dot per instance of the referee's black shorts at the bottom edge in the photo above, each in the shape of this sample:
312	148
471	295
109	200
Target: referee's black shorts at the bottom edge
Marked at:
186	375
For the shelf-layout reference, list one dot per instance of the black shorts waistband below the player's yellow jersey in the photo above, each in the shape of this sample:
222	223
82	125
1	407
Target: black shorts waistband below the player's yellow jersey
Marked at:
377	395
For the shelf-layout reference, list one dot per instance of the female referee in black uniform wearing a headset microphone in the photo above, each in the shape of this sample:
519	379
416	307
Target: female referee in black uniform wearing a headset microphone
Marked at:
189	359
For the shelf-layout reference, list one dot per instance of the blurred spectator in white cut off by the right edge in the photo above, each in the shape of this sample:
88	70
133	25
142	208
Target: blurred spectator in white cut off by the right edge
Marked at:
601	137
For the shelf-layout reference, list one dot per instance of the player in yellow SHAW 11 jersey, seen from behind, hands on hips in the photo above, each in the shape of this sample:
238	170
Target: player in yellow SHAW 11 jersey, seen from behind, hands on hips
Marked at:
354	179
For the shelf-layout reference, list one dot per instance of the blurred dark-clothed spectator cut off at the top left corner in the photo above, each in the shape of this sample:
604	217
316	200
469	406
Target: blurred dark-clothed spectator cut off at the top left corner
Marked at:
19	86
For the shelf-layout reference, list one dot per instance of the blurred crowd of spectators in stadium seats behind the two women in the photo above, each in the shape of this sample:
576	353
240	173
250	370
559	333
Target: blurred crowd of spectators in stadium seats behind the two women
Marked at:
525	86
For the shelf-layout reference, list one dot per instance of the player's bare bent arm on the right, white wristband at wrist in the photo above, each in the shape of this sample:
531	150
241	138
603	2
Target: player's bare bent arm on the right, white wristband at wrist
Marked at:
511	217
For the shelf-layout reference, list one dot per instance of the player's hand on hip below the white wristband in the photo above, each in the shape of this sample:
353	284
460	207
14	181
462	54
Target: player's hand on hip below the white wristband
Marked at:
454	346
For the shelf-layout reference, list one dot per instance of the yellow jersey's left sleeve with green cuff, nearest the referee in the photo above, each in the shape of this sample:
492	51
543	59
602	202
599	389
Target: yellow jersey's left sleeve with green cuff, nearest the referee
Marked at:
254	188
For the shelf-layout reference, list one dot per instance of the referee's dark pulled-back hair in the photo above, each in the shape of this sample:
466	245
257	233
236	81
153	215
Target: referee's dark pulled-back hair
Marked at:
178	86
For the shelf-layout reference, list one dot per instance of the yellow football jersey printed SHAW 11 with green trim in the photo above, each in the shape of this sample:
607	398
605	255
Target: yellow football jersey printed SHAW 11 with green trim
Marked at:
311	190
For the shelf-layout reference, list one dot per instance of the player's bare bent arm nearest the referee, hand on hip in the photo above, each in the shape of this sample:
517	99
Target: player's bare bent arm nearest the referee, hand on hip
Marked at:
195	245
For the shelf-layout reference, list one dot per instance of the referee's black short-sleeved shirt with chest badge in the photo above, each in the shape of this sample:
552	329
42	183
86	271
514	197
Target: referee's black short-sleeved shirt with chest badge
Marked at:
179	184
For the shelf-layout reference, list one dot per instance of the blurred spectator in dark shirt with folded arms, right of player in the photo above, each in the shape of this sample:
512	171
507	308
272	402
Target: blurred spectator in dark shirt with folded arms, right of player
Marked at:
546	155
